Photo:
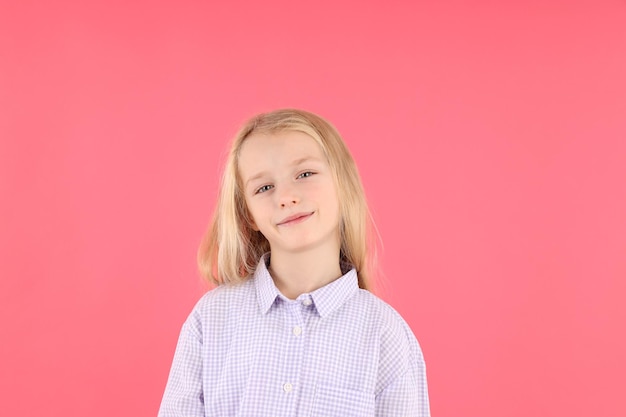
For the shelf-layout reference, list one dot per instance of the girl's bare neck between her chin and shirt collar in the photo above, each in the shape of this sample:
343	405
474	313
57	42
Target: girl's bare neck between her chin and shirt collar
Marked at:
303	272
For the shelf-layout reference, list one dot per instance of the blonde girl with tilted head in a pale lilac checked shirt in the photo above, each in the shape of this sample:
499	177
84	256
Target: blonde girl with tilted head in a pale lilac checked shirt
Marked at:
291	329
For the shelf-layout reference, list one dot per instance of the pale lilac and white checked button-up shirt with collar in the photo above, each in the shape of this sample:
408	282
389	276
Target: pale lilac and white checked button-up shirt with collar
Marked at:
246	350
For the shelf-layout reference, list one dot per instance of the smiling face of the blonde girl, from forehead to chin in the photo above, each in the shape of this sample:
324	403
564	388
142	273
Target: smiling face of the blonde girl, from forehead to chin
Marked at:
290	192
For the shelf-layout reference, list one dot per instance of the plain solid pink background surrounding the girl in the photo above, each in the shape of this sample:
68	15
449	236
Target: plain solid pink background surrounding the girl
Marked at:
491	137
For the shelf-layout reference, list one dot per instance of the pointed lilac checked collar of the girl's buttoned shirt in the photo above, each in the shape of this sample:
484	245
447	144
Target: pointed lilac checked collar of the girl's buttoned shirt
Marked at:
326	299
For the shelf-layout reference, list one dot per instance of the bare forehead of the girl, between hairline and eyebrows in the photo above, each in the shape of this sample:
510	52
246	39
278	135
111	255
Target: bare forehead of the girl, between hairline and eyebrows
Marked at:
268	151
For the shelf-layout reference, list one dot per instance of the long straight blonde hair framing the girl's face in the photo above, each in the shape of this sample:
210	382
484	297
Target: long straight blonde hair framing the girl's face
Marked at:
230	250
